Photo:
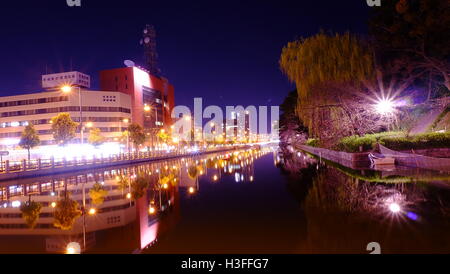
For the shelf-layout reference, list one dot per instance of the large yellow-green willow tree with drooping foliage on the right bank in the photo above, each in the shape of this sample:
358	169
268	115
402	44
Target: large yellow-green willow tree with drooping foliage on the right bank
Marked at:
340	59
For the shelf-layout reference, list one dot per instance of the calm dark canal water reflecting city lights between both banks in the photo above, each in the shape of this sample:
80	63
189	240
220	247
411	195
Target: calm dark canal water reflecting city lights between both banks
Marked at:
265	200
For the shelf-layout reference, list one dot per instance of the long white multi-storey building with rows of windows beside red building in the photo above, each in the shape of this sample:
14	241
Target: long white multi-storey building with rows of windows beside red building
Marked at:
104	110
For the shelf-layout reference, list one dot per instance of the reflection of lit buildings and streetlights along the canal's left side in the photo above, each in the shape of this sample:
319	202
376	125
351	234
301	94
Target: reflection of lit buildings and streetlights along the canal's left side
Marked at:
126	208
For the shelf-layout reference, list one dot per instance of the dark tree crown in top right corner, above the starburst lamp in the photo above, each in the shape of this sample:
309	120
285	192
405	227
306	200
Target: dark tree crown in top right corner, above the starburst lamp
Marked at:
412	36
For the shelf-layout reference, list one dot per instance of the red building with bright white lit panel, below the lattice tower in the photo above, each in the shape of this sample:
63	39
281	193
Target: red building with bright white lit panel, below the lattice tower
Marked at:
152	98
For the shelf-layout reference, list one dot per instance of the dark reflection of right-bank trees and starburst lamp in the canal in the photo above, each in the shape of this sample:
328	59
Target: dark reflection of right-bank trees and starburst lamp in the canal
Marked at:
343	214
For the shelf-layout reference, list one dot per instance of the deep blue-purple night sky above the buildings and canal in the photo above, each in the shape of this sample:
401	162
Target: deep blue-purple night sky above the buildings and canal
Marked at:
224	51
